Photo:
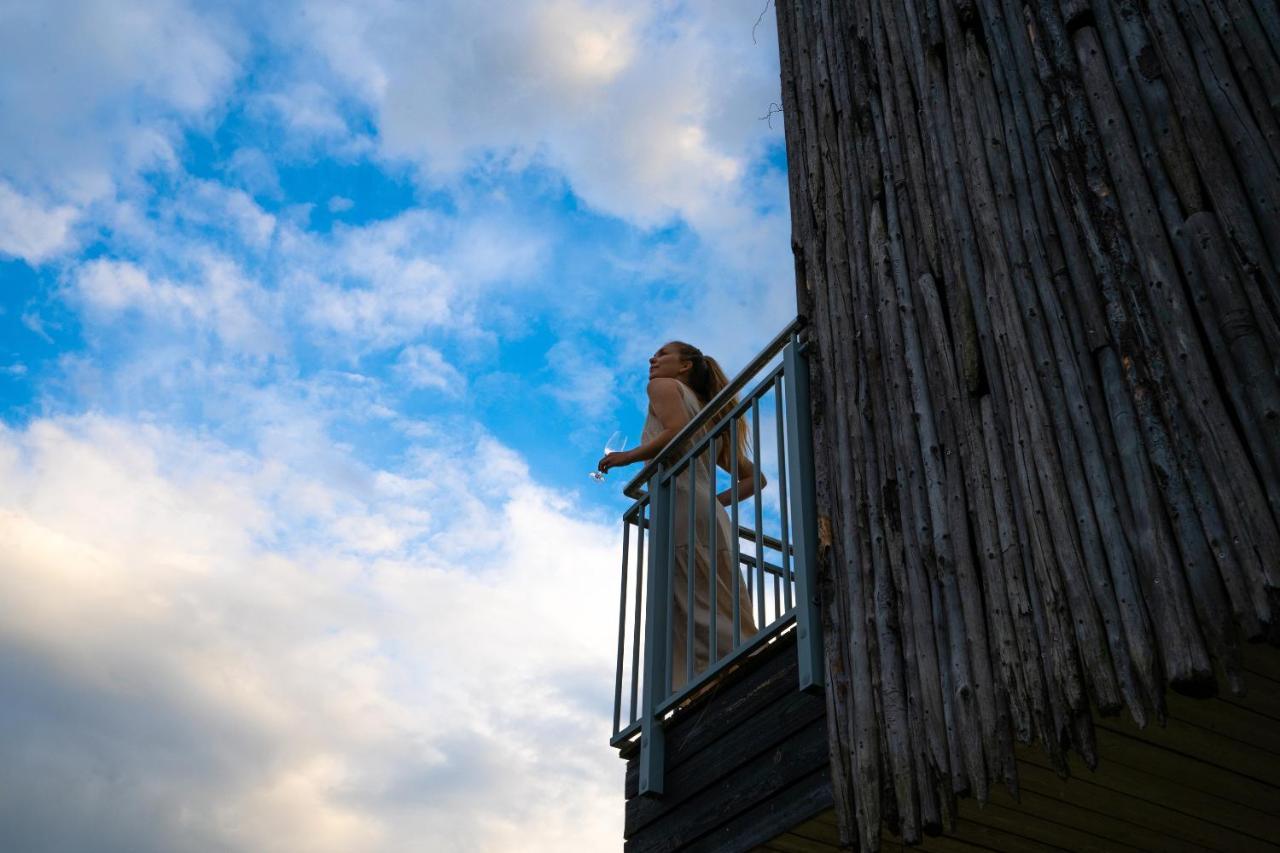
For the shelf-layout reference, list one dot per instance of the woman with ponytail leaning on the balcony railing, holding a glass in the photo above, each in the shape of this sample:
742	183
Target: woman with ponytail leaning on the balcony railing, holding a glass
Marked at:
682	382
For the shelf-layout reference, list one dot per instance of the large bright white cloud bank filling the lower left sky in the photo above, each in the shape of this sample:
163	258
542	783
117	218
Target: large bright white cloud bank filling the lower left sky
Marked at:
196	653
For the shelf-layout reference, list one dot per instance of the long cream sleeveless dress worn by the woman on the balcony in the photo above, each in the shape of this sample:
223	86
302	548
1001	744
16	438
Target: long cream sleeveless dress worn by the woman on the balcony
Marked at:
726	572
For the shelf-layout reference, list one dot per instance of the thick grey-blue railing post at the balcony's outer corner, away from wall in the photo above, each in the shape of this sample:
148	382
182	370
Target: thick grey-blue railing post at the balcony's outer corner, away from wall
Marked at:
653	752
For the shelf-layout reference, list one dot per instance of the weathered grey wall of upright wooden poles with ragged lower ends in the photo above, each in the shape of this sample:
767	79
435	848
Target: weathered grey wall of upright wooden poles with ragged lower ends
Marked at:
1039	241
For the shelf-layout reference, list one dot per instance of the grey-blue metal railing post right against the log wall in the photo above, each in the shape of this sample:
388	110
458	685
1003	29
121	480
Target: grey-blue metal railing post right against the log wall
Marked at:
804	518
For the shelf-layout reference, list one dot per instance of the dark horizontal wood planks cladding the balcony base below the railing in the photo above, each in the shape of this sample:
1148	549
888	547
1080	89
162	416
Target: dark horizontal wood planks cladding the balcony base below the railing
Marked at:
744	763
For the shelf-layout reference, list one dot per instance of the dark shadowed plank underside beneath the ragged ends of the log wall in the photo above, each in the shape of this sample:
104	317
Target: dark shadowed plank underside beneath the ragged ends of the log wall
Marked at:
1208	781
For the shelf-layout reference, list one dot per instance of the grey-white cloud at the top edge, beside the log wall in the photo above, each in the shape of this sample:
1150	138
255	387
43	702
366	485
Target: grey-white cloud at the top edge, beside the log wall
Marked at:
650	111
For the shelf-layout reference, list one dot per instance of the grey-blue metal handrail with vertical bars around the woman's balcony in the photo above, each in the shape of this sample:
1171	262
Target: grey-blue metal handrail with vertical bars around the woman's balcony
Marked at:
650	610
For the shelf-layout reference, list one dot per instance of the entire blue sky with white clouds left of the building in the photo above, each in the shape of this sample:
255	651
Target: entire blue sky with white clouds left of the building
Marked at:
313	318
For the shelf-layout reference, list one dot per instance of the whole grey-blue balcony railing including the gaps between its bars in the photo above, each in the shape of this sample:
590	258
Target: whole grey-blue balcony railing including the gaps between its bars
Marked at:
676	522
